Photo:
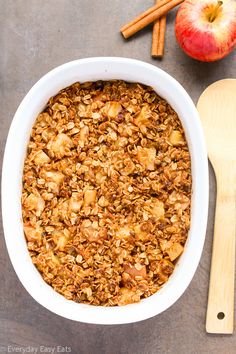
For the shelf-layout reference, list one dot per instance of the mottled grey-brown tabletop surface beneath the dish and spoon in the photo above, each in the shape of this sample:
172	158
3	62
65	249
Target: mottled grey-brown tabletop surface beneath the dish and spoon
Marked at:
36	36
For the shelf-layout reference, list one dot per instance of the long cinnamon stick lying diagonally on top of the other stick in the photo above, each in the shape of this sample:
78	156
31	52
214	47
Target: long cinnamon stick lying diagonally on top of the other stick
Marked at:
149	16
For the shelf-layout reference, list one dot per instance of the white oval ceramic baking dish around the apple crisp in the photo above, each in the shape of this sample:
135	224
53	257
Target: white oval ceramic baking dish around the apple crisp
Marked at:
93	69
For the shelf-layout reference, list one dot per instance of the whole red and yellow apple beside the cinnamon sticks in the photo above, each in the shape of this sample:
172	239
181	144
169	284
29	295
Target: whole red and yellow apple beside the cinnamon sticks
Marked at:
206	29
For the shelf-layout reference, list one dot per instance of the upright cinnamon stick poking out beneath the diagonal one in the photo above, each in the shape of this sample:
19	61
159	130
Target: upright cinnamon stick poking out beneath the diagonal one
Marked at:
158	36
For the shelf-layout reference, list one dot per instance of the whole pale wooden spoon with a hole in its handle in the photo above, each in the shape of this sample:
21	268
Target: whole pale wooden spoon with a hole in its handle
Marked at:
217	109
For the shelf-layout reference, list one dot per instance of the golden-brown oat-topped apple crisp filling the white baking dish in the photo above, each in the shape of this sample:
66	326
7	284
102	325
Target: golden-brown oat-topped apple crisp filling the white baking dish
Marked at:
106	192
